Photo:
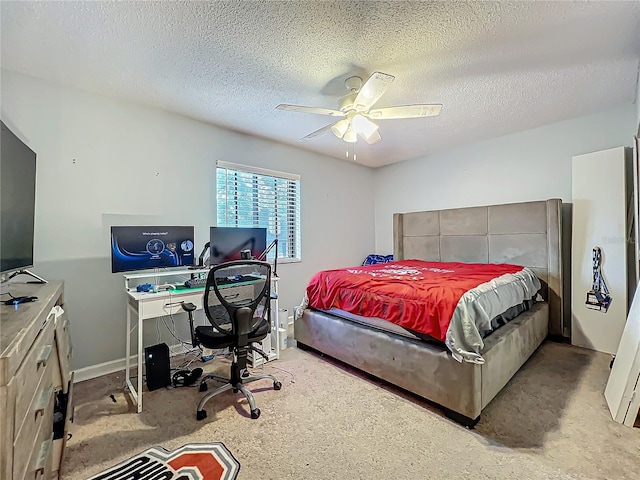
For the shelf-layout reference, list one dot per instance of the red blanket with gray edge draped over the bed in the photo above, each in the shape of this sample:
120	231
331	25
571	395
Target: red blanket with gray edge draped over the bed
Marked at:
456	303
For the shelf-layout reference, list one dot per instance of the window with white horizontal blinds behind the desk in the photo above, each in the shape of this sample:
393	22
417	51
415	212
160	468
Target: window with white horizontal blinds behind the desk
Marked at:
255	197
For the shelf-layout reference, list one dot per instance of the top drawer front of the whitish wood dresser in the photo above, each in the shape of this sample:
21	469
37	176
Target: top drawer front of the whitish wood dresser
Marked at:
31	372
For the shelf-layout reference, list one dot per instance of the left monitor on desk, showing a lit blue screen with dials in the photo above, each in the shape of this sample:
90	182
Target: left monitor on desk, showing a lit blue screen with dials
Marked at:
144	248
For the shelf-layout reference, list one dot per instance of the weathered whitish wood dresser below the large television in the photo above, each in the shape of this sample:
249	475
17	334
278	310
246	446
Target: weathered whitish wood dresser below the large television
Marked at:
35	381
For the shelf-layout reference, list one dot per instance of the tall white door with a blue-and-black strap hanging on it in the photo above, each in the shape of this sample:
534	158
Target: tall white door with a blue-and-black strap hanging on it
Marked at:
599	229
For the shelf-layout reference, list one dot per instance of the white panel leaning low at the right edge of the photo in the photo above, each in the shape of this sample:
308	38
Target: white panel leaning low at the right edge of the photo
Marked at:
622	391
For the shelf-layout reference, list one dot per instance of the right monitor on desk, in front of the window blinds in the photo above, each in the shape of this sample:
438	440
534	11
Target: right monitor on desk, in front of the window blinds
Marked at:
226	243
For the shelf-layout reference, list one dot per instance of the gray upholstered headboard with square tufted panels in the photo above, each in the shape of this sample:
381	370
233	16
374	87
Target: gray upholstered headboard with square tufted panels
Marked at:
527	234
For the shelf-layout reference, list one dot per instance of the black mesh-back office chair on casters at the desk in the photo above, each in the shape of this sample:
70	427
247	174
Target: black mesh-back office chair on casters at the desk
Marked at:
239	316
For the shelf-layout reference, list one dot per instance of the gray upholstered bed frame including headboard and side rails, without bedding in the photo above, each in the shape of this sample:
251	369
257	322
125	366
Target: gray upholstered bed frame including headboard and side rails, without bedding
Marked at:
527	234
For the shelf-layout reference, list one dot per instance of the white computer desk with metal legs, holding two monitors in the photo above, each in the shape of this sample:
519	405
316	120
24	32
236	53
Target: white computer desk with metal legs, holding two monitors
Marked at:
142	306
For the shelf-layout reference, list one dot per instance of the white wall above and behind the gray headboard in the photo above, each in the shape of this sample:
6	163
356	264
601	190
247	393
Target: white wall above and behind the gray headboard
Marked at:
526	166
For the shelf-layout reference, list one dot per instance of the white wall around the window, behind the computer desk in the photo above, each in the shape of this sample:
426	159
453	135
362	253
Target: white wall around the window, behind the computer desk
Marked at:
103	161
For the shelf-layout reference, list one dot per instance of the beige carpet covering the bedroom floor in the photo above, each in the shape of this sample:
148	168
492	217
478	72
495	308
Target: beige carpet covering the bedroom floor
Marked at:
550	422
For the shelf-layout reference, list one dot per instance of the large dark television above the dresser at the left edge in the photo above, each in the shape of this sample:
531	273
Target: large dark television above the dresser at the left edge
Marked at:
17	202
